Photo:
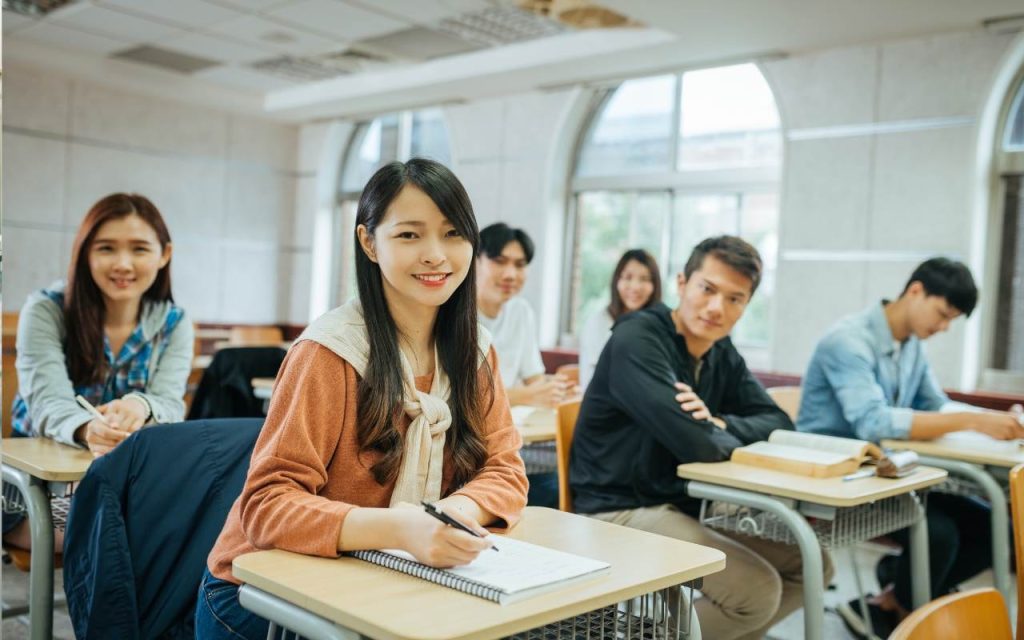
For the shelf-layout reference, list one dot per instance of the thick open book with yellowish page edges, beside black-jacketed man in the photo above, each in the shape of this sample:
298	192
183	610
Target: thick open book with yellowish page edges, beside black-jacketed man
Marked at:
808	454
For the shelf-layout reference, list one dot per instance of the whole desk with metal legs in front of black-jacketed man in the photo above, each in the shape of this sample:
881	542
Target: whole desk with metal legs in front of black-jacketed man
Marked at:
790	499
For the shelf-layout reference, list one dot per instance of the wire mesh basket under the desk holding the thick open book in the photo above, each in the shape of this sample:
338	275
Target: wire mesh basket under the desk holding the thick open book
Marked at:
835	529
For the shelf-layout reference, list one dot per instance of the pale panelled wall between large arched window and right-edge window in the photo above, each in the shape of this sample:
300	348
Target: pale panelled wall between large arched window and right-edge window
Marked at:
880	156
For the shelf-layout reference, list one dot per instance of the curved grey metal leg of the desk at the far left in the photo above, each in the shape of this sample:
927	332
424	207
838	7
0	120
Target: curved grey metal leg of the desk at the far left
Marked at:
41	570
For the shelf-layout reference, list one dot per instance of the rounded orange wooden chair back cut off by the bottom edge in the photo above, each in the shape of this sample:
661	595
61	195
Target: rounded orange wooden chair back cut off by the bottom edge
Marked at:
976	614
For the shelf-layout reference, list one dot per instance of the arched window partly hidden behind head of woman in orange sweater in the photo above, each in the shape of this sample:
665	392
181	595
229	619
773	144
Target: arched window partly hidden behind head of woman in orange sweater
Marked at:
387	139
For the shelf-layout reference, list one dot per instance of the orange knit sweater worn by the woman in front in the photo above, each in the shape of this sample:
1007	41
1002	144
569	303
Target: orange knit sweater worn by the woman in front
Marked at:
308	473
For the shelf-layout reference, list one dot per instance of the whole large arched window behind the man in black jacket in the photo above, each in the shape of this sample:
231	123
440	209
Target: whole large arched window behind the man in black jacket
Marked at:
667	162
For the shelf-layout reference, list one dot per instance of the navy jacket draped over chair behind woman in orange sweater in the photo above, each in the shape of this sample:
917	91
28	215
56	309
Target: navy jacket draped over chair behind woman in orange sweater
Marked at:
143	522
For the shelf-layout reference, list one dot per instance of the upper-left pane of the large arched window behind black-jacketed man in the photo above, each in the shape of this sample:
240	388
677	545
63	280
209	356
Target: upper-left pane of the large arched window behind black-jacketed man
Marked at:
633	134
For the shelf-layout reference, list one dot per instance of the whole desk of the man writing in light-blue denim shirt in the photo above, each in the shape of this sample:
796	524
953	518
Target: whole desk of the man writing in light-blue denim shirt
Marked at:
983	468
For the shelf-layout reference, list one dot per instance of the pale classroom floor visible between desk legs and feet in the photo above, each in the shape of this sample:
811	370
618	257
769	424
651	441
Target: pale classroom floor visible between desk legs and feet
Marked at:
16	586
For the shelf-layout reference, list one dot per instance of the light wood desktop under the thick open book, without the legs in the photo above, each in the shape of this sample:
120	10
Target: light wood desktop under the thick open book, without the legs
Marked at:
831	492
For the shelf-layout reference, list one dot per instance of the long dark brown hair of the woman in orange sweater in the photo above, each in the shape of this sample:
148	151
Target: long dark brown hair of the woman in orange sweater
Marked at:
380	391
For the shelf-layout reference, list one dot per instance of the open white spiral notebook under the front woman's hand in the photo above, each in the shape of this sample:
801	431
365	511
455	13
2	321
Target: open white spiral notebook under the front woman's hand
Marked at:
520	571
